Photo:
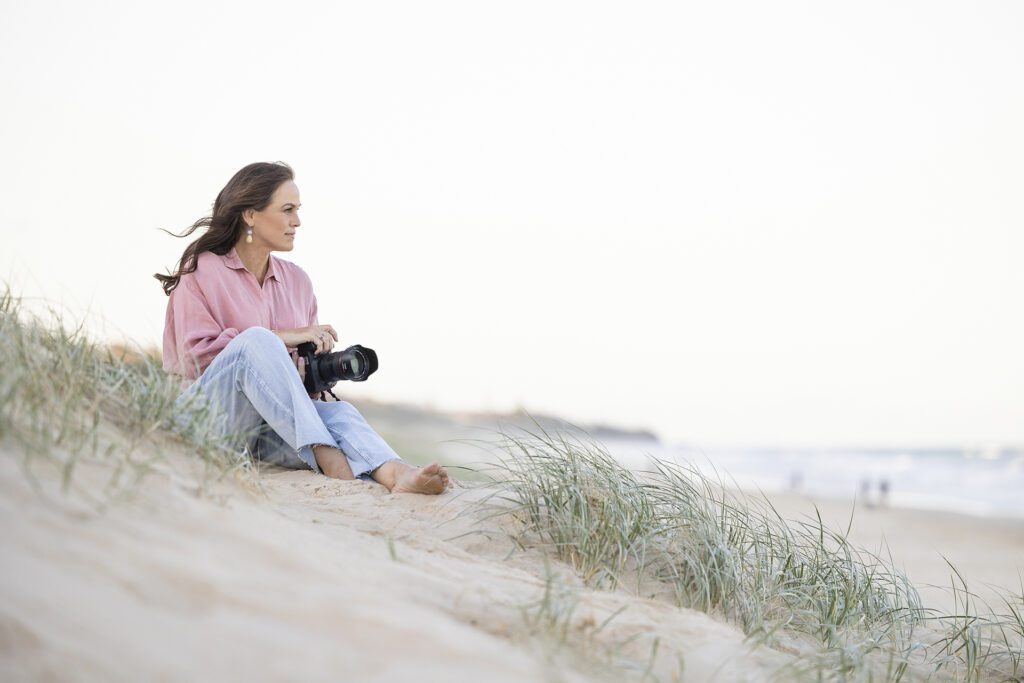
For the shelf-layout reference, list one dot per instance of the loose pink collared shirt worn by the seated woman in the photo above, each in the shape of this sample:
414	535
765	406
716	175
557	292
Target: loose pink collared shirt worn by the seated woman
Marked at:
221	300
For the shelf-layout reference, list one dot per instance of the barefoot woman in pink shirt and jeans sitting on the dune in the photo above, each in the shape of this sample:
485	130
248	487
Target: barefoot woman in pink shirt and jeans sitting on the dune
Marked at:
235	317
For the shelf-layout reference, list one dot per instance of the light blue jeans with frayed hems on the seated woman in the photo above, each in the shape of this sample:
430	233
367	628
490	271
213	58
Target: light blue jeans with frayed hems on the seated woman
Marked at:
254	383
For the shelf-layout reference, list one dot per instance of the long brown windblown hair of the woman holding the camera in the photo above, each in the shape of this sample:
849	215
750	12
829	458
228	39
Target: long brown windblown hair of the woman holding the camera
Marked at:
251	188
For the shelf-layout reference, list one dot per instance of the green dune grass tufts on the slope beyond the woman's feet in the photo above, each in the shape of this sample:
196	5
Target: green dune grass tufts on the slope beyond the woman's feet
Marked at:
797	586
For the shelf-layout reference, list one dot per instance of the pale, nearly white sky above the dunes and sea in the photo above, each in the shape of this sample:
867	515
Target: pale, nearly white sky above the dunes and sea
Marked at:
734	224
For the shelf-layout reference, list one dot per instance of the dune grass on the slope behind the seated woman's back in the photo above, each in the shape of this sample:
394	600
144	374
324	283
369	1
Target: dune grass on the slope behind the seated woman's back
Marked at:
65	400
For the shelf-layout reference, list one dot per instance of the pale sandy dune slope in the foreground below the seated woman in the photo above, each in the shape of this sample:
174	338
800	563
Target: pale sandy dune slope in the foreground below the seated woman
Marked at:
312	579
